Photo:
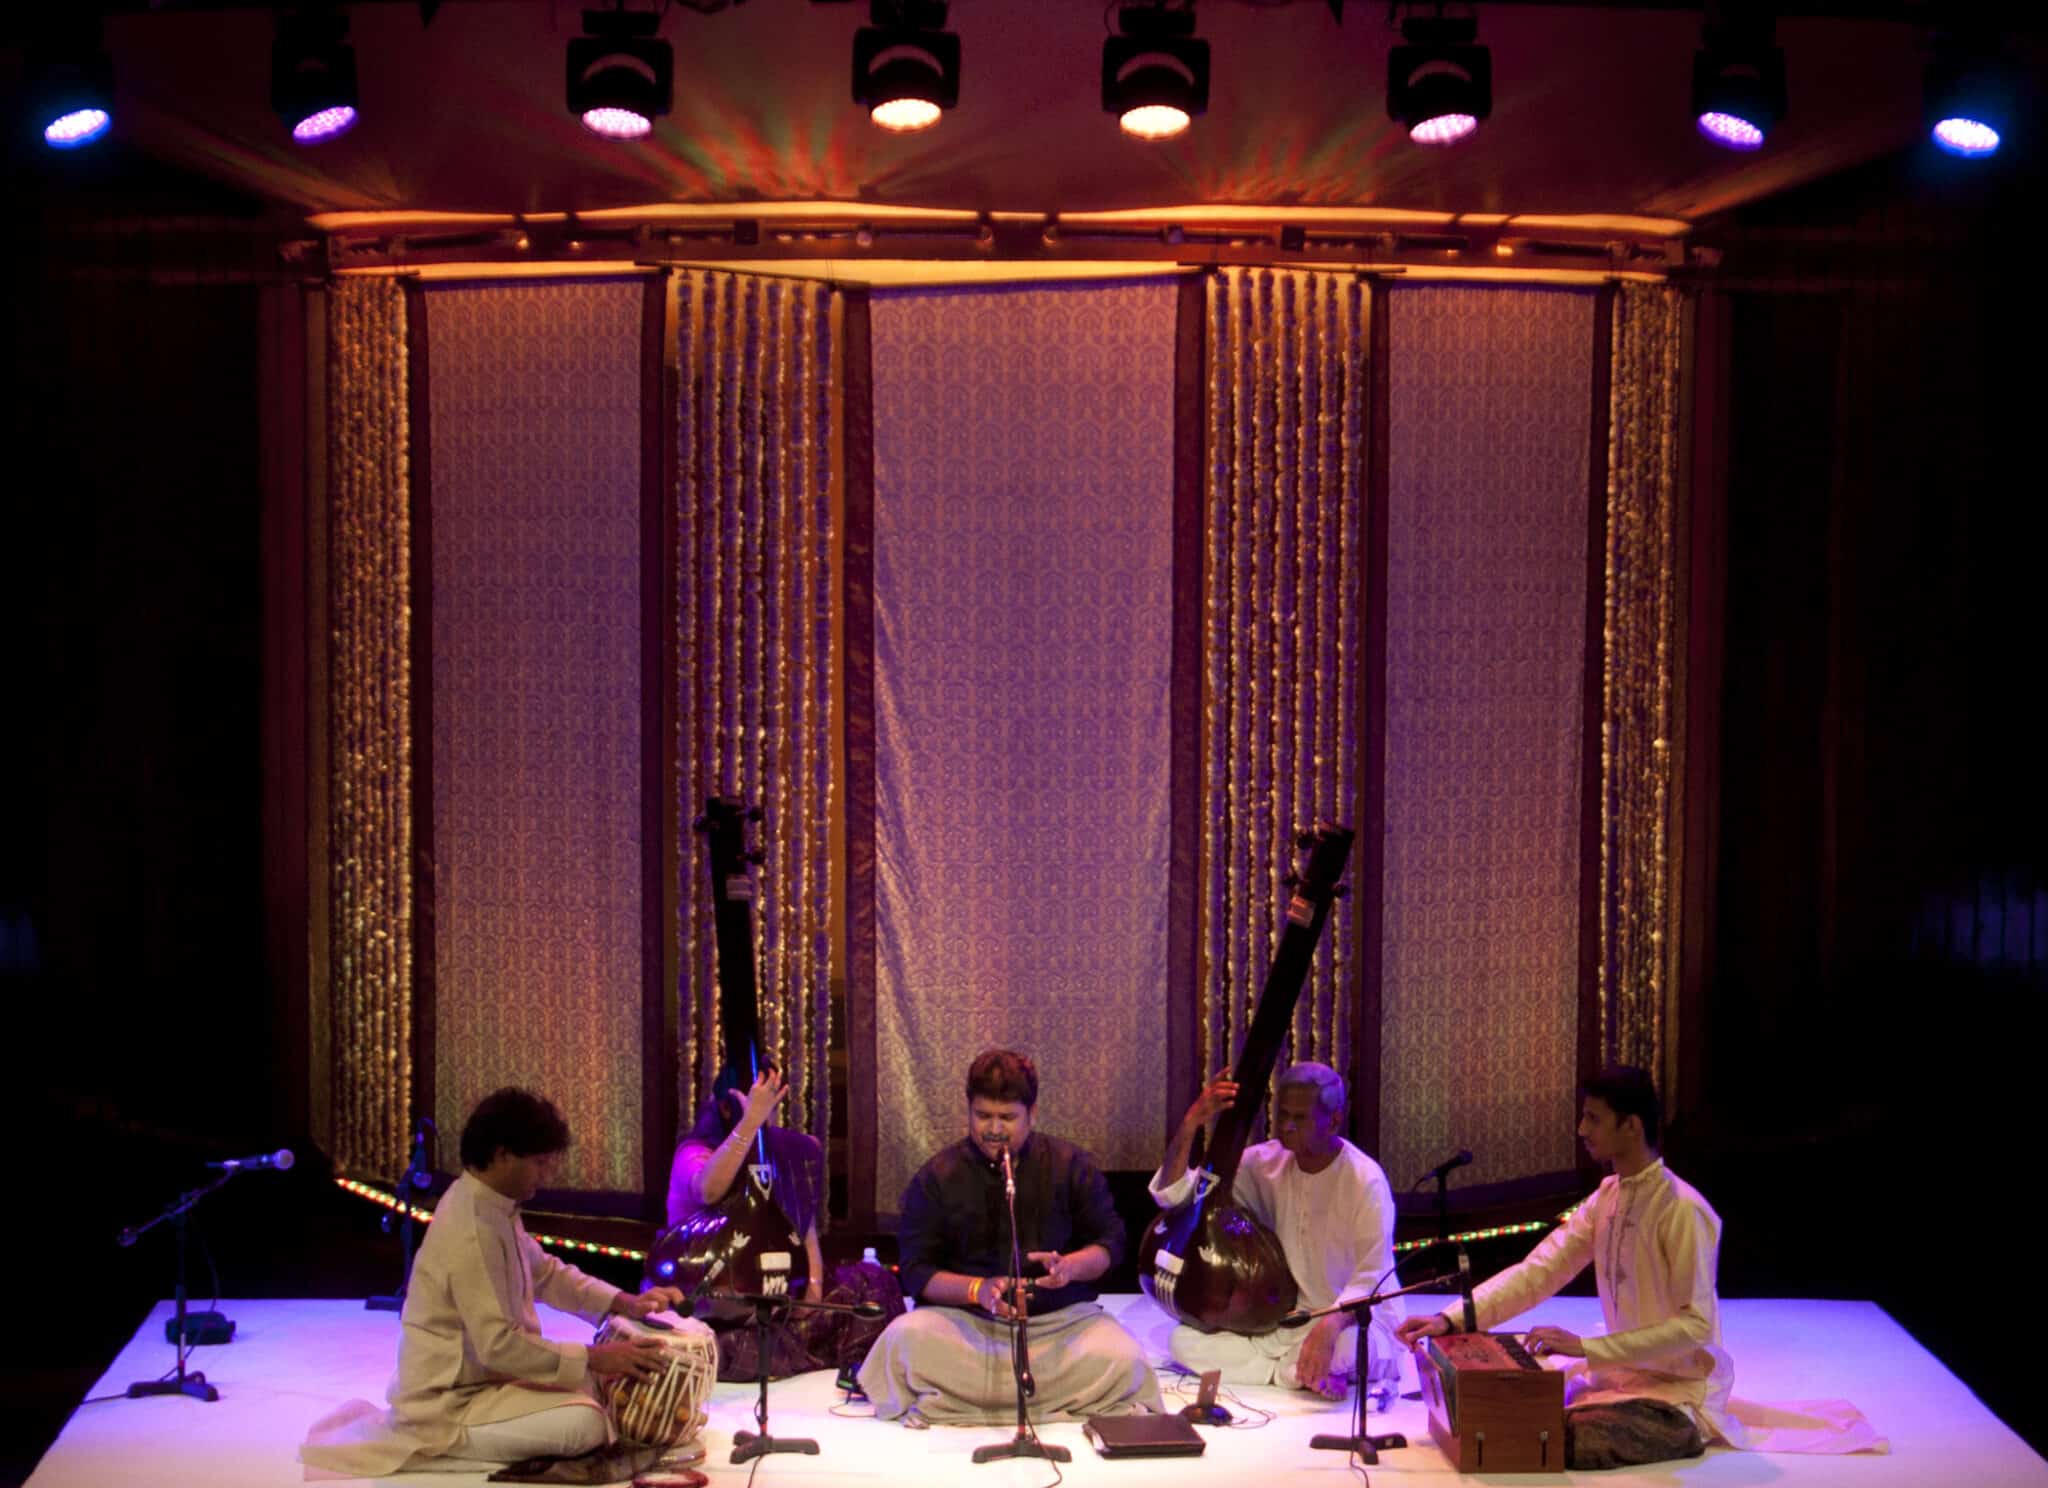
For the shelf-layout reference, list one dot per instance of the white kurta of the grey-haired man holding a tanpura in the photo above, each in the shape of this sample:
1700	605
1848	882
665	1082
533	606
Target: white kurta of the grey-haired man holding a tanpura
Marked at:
1336	1231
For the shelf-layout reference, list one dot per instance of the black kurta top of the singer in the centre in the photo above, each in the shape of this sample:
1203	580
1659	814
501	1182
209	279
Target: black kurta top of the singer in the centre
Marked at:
955	1217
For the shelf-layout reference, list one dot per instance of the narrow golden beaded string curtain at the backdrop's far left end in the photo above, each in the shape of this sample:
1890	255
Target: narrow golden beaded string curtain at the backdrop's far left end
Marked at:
370	730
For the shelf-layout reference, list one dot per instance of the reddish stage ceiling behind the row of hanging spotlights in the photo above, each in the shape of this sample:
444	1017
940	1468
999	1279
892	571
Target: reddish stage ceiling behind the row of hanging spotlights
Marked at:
466	114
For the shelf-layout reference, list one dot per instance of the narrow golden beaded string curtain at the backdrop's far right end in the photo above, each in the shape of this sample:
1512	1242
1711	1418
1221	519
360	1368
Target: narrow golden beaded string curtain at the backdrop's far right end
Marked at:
1639	764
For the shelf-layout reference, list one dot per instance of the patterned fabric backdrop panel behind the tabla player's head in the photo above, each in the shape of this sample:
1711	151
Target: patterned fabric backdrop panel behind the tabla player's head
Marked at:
536	425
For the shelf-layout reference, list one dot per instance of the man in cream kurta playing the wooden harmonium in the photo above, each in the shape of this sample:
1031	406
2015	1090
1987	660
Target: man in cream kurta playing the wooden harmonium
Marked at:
1656	1385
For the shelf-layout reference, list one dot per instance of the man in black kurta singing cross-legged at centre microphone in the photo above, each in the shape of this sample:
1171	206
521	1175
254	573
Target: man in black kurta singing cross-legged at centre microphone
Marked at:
951	1358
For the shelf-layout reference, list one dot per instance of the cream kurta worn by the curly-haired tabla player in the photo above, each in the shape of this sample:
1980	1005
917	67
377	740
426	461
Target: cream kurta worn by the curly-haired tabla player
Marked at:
470	1348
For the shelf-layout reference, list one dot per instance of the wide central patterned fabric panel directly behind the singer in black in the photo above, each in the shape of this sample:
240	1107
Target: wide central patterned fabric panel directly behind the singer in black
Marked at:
1023	658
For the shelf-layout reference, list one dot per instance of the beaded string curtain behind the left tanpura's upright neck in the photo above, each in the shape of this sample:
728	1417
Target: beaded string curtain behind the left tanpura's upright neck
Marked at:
755	578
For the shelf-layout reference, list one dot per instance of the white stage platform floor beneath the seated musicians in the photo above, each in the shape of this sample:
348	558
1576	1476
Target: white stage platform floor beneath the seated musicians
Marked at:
292	1362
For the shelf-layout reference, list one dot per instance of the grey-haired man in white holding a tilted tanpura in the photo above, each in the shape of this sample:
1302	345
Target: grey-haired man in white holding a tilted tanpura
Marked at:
1334	1213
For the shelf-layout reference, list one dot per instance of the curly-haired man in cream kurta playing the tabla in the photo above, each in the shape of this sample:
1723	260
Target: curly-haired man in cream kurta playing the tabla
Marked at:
476	1383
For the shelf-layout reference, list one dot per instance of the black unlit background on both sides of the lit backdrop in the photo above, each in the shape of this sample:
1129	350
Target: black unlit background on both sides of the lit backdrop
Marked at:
1875	983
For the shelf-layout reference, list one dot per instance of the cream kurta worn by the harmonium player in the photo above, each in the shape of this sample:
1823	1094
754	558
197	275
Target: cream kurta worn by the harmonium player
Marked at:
1654	1243
